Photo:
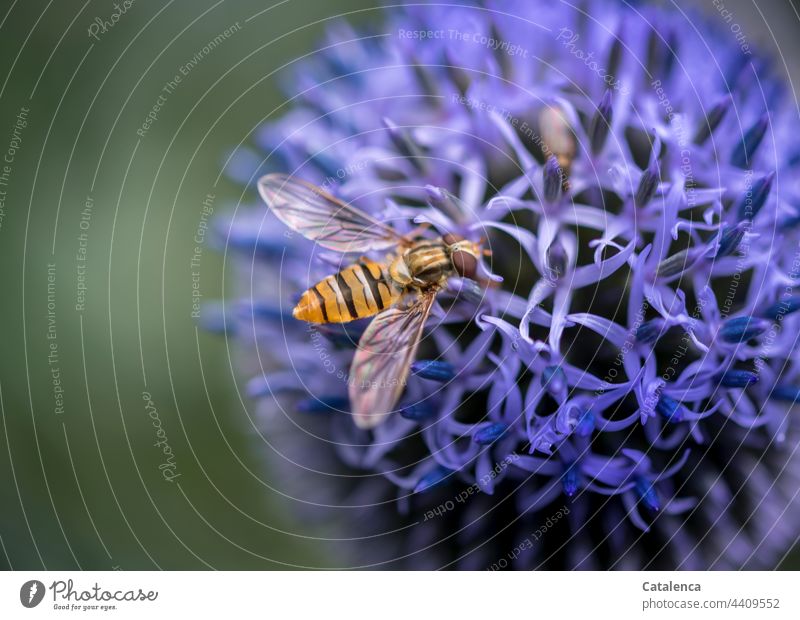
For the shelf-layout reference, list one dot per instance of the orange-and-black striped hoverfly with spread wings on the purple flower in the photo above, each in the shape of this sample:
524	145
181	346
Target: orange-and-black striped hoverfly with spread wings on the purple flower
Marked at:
416	269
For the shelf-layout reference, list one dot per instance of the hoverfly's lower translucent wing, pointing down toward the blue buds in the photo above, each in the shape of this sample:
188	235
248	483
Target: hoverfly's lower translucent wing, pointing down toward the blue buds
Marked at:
380	367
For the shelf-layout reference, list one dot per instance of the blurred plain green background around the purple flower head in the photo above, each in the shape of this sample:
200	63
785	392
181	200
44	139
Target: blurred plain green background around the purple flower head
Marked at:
80	484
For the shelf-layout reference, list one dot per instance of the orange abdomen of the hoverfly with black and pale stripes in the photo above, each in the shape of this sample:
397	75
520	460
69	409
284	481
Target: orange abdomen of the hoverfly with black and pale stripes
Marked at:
357	292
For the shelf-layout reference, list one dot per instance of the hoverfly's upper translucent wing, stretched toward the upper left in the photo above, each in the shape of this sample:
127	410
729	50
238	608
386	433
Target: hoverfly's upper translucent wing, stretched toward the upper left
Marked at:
315	214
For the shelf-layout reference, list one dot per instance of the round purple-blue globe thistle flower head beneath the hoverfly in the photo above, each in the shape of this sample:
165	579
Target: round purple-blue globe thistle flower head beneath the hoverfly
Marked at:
619	390
